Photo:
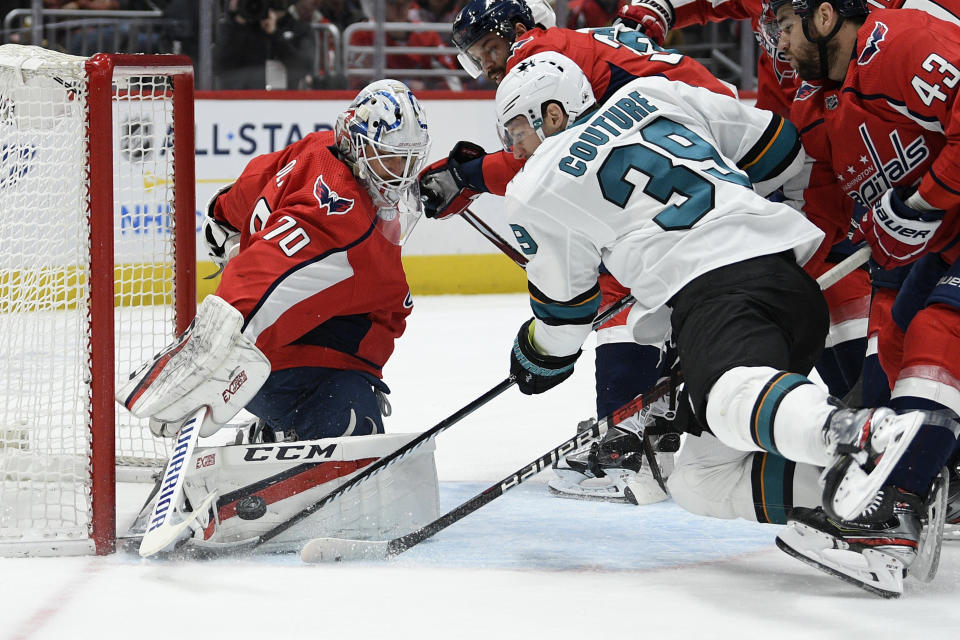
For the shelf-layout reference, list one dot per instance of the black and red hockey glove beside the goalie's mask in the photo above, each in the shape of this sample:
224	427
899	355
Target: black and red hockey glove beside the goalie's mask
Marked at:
444	186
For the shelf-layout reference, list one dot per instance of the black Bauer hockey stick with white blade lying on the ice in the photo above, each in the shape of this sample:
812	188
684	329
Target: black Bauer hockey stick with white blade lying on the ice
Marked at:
327	549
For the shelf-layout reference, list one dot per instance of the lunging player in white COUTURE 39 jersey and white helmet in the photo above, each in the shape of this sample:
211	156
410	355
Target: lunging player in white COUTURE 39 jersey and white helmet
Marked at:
656	183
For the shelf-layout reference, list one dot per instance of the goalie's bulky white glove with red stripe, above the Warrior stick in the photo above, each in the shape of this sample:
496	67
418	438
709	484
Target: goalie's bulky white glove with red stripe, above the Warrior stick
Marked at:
211	364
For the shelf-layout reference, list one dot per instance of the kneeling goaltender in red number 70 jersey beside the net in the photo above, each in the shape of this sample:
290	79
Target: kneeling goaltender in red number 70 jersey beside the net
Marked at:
313	296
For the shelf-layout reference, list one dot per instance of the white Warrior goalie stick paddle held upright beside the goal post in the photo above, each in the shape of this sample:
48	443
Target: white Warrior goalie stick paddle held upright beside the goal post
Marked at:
167	520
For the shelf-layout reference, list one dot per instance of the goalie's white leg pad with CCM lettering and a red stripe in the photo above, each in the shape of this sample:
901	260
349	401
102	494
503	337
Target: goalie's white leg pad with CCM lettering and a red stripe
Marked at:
259	486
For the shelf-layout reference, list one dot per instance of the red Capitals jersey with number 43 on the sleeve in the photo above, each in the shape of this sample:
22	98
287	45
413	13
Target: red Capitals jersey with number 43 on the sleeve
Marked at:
891	123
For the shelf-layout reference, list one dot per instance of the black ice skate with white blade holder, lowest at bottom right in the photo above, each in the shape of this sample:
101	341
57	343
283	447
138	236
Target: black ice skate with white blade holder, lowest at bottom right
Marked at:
873	552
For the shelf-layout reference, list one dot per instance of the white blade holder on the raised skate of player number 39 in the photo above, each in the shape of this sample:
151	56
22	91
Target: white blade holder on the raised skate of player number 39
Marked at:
852	488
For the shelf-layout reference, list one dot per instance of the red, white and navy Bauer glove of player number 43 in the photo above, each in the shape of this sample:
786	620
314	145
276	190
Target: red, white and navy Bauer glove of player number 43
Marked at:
897	233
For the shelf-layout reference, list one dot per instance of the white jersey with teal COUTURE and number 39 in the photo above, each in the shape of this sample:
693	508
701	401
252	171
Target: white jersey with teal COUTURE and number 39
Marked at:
656	183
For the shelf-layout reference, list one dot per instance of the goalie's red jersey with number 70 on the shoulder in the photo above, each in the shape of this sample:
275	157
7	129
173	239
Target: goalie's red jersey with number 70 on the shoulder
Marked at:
318	285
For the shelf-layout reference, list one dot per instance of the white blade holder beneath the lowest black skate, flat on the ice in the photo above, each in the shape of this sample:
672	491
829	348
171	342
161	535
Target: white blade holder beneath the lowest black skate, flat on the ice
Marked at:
872	570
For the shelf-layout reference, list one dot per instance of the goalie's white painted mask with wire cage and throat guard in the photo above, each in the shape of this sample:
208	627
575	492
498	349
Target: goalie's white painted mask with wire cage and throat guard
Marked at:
383	136
